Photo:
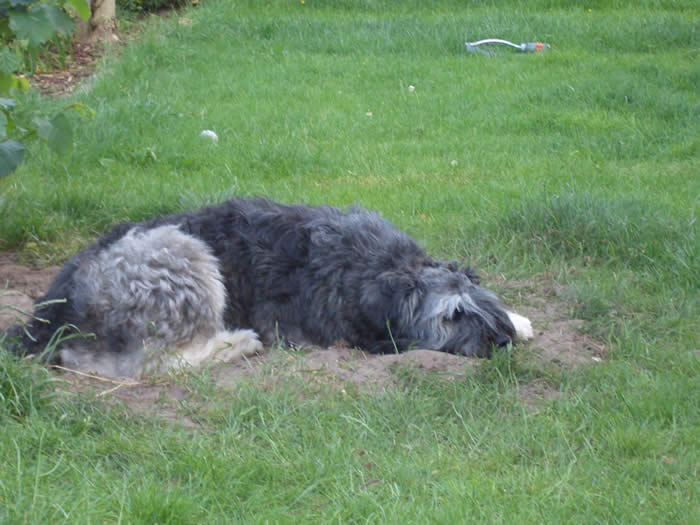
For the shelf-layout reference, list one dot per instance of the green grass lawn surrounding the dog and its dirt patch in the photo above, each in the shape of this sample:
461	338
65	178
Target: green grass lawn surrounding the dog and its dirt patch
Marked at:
579	166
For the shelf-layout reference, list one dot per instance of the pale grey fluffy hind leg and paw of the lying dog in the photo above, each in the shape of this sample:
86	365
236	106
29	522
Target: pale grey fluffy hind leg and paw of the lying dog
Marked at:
158	299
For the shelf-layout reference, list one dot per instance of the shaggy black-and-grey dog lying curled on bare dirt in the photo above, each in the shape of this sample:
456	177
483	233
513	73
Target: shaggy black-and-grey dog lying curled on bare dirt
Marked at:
169	291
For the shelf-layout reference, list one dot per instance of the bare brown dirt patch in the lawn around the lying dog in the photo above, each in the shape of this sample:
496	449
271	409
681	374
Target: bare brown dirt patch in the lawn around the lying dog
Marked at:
559	341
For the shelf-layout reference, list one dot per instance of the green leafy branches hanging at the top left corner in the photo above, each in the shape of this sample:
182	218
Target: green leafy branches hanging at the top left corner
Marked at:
24	26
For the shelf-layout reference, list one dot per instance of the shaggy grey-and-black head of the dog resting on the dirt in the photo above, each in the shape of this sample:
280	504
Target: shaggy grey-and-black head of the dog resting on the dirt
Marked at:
450	312
